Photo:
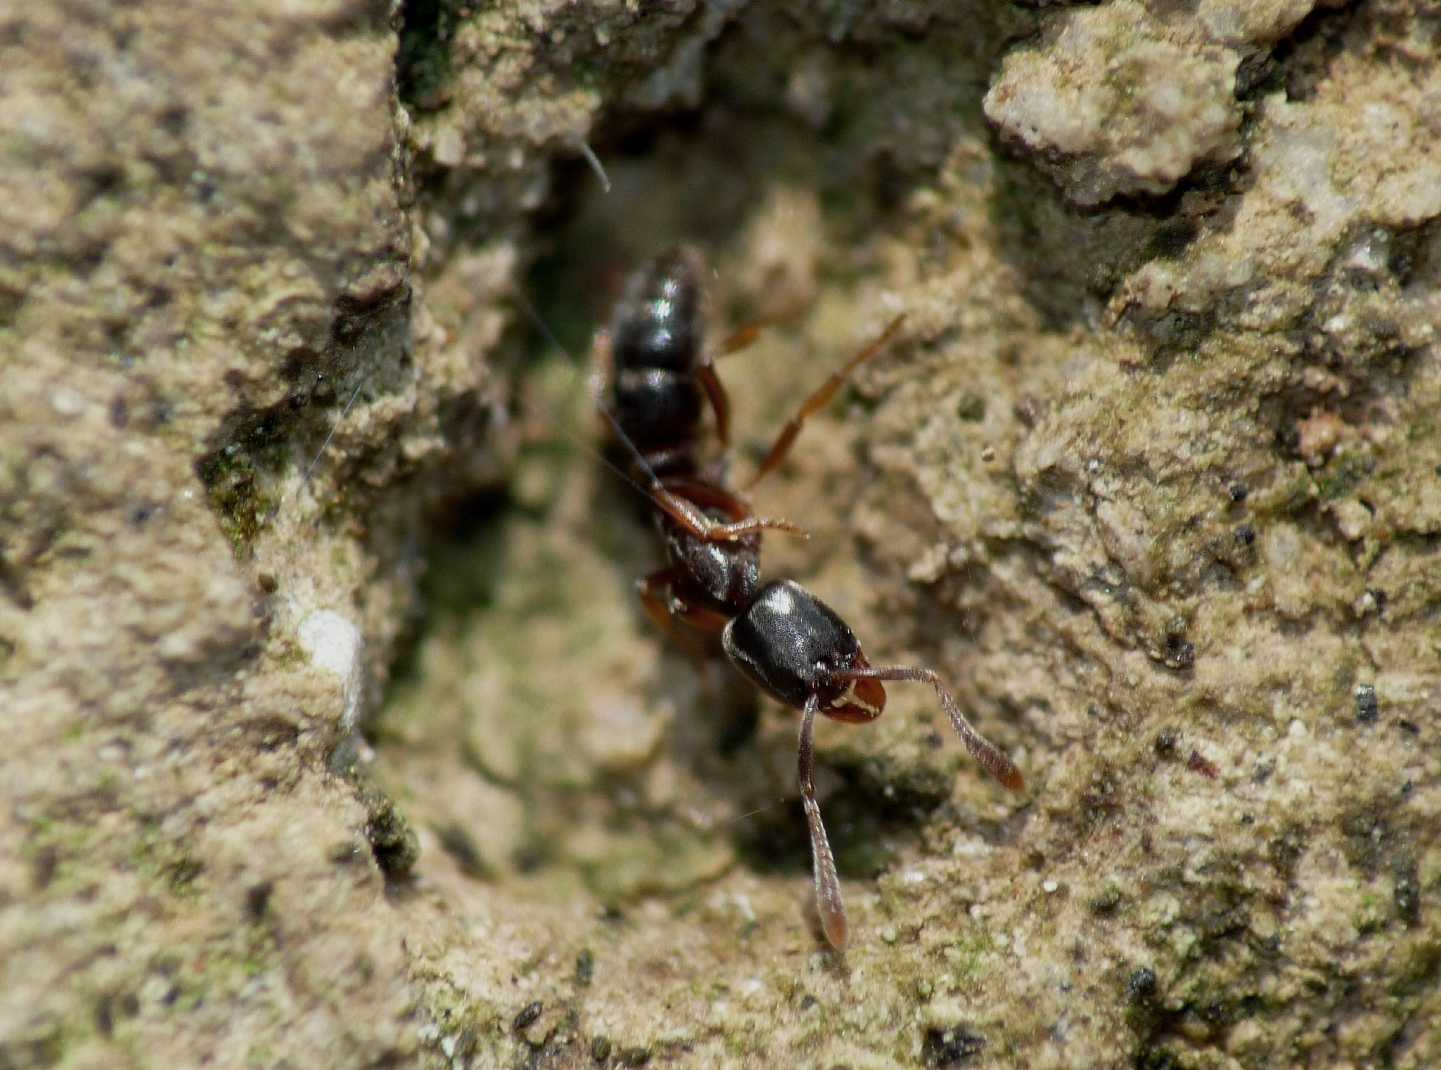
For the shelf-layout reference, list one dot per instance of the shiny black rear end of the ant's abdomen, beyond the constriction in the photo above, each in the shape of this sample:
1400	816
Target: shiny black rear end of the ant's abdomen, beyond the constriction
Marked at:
658	326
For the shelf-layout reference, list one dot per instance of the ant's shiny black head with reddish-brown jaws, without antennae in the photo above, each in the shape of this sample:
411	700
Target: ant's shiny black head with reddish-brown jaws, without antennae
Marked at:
792	646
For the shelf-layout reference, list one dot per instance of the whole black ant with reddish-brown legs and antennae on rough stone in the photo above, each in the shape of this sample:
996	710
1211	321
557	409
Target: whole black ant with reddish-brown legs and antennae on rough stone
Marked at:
777	634
